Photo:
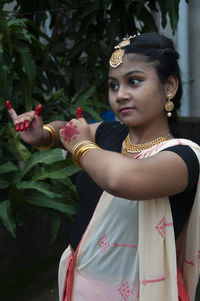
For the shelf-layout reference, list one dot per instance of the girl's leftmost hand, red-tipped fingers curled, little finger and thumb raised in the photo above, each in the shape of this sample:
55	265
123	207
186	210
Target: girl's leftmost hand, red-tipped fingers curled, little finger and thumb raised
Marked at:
29	125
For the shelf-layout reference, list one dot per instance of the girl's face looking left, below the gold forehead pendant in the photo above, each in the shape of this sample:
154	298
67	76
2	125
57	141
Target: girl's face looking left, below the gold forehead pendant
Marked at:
136	95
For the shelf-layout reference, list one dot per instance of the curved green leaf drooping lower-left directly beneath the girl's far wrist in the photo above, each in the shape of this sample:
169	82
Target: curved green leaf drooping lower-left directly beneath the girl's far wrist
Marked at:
46	157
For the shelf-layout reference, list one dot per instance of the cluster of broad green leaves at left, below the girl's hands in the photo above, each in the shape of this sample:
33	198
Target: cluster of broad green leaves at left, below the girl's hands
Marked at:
43	180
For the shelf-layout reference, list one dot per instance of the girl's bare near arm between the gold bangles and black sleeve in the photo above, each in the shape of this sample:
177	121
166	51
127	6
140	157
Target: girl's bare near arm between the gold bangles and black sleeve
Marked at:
161	175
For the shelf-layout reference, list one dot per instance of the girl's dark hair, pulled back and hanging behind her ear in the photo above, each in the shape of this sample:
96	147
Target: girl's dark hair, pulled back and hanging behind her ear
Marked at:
160	49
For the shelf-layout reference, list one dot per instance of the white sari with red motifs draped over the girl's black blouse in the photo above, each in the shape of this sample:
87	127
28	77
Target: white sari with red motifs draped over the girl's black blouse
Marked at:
128	251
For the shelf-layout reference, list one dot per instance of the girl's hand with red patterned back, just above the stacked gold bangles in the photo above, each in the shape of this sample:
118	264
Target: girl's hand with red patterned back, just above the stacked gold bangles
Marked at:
75	131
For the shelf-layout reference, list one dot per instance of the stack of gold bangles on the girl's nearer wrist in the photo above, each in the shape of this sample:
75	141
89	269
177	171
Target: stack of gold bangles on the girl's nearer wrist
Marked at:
80	149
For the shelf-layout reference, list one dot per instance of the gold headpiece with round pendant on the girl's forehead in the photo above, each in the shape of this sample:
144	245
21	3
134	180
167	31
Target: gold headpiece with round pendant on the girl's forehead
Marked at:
117	56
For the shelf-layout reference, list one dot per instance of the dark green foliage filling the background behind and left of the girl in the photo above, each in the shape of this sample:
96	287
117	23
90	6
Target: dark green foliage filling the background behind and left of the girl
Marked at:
62	70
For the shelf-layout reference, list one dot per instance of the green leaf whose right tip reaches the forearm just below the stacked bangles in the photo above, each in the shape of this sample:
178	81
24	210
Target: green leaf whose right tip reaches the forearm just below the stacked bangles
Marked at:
57	170
